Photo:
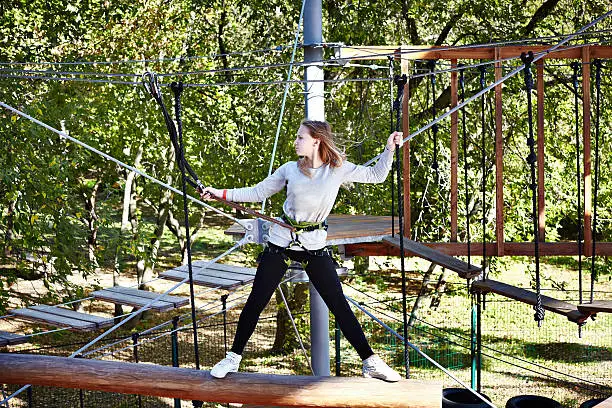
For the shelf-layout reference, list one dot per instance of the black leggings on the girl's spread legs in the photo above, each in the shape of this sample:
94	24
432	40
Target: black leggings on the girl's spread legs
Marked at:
322	273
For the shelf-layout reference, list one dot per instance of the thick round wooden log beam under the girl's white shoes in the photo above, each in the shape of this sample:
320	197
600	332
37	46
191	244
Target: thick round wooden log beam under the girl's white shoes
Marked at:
190	384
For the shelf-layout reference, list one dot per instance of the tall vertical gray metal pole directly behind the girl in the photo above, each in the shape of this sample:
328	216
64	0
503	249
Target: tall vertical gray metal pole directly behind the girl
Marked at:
315	110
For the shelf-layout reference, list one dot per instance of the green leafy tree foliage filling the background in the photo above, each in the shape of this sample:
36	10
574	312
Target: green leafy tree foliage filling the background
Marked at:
229	130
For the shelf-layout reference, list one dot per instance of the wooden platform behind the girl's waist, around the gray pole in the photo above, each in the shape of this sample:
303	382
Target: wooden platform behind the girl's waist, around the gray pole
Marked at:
346	229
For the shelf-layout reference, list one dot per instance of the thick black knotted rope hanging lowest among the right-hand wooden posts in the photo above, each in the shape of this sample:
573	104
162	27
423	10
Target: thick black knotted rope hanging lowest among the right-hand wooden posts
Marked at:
531	160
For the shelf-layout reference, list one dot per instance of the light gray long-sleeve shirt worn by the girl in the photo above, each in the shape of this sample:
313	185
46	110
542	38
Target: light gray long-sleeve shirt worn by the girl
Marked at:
310	199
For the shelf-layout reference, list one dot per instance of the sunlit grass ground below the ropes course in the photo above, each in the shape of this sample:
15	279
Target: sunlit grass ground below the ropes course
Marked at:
509	332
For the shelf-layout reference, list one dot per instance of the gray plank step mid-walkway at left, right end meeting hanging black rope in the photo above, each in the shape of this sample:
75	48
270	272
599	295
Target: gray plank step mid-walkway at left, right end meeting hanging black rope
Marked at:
139	298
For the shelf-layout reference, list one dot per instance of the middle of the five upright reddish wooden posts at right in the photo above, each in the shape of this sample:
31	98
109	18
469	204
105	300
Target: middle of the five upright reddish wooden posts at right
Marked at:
499	158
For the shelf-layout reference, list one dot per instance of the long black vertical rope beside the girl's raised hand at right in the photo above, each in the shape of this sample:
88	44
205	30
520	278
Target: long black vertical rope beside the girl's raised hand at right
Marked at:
400	81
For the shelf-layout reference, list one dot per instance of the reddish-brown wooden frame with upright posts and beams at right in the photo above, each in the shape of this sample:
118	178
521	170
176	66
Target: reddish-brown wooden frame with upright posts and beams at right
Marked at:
500	247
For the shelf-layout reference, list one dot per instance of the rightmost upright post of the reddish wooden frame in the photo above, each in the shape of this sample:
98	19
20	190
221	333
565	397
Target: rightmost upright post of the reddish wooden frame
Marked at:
586	130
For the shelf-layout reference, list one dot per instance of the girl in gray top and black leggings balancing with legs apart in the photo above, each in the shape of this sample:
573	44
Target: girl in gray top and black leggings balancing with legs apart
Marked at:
312	186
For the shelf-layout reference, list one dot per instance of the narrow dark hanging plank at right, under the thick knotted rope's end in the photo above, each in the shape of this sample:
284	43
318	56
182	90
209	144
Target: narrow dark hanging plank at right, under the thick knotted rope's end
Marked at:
556	306
